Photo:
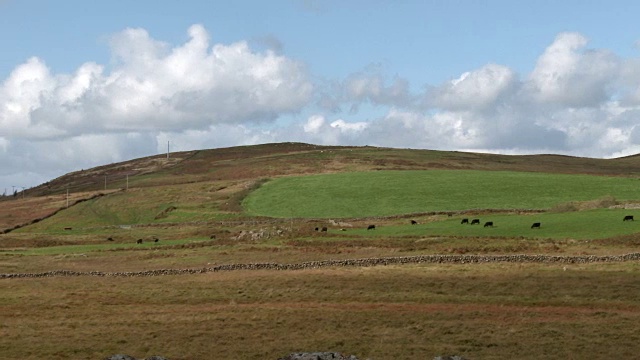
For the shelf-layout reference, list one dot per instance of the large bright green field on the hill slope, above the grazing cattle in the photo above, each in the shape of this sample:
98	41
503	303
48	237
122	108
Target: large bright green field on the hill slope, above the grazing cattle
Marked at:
383	193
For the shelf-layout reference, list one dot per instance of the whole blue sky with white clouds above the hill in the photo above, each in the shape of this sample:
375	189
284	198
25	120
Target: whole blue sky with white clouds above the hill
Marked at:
89	83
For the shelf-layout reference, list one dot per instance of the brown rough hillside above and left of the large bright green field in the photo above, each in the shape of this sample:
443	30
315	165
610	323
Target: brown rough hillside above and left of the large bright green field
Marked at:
219	178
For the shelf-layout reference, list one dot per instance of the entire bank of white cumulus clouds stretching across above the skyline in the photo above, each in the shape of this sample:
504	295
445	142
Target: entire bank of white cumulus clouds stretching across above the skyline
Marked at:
199	95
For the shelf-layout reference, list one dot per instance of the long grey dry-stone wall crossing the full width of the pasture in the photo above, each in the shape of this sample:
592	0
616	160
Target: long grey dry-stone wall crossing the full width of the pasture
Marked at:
367	262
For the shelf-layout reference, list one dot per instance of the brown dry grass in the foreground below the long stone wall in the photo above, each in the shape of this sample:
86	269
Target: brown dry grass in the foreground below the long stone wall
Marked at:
482	311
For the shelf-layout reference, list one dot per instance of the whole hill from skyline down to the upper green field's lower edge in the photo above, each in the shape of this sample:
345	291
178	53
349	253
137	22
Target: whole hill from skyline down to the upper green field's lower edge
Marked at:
308	181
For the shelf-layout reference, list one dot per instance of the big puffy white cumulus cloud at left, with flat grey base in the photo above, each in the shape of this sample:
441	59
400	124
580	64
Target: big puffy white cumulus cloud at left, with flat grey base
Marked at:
151	86
